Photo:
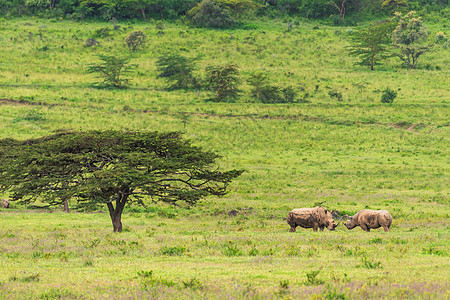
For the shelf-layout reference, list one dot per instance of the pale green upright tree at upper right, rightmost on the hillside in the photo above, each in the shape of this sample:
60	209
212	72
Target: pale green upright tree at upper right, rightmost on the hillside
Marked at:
410	38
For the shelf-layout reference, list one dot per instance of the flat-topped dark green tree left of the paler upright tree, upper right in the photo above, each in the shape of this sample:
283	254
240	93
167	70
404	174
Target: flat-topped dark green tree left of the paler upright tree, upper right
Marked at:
371	43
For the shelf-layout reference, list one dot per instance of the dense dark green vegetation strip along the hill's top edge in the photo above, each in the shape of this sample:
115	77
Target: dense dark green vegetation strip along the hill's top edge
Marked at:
220	13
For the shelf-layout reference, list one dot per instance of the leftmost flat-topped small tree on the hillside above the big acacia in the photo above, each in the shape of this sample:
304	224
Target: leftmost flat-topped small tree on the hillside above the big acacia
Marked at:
112	70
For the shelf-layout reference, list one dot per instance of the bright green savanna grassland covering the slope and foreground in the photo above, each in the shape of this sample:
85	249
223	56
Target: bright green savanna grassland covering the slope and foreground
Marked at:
346	154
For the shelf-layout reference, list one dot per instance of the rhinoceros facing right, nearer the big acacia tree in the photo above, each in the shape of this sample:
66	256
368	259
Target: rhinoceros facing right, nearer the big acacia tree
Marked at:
317	217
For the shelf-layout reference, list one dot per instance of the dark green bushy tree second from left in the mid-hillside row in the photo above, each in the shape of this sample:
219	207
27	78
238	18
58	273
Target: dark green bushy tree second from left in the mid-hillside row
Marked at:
178	71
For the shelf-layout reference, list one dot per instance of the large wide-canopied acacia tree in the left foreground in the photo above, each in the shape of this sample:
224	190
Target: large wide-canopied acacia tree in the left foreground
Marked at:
112	168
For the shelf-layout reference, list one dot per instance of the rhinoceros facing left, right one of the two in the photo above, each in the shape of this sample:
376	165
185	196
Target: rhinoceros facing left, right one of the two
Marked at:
370	219
